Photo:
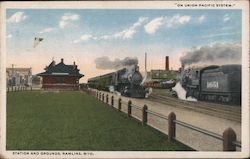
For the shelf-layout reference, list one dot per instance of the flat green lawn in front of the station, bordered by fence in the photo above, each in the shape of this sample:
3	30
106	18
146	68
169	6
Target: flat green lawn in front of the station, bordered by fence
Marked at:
75	121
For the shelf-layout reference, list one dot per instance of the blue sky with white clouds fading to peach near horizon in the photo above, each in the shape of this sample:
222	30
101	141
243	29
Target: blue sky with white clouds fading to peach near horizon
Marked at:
82	35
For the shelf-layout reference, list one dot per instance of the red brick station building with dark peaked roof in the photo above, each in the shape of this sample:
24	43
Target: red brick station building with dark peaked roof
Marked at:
60	76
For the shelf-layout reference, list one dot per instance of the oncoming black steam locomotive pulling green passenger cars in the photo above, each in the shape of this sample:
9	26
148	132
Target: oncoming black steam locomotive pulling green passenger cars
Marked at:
127	81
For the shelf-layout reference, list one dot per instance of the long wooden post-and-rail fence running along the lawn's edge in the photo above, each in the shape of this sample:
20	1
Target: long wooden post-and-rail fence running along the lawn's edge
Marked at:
228	137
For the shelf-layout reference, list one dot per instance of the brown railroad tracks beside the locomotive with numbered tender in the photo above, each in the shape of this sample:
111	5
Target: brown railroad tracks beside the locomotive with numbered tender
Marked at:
223	111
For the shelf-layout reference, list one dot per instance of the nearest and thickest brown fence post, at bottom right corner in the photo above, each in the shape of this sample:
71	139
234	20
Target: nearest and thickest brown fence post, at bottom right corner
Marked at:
229	136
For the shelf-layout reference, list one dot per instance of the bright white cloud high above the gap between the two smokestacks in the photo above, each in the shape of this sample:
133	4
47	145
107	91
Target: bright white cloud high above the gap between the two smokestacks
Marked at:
153	25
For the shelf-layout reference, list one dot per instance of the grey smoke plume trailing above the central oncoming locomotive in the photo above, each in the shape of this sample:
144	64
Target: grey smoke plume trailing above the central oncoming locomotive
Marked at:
105	63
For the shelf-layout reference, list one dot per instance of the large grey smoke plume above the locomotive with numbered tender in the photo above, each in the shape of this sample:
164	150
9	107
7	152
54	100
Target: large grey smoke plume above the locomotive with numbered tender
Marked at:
218	53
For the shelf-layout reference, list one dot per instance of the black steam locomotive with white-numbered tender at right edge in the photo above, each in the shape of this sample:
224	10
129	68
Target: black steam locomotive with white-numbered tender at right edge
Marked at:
214	83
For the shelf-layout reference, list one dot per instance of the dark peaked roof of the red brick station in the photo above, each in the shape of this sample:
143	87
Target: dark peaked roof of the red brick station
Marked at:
61	70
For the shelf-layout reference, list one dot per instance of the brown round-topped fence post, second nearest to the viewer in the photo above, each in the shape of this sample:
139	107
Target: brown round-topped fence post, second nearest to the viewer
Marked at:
171	126
